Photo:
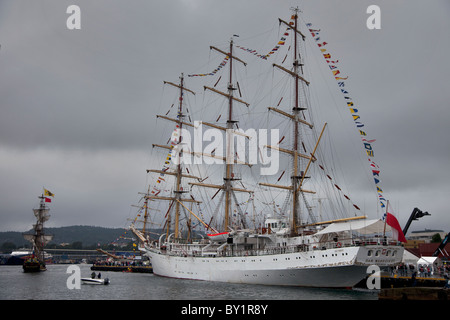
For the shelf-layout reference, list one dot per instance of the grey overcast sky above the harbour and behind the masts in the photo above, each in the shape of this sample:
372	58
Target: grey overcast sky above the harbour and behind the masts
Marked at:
77	107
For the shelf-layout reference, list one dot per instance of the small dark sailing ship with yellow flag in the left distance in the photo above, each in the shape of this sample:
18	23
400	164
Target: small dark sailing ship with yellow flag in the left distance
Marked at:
38	238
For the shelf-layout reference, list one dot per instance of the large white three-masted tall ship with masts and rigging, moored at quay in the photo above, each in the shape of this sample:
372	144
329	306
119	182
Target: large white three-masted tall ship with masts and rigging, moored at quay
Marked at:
292	246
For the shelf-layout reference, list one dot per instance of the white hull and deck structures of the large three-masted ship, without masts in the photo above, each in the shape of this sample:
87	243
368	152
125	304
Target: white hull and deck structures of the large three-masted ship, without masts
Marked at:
324	259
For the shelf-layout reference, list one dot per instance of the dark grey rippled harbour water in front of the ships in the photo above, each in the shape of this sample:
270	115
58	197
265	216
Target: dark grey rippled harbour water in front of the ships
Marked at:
52	285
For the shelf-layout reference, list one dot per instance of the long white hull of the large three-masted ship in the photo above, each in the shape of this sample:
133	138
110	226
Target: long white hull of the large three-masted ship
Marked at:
332	268
